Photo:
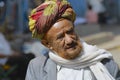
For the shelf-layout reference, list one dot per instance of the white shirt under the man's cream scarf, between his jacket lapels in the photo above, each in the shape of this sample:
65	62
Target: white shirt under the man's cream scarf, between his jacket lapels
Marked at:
74	74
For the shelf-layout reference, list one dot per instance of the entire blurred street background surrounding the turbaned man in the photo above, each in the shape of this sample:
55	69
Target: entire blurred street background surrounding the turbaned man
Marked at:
97	22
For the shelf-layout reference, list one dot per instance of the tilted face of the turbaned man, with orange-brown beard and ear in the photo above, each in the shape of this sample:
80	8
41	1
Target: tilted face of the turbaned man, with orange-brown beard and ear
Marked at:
63	40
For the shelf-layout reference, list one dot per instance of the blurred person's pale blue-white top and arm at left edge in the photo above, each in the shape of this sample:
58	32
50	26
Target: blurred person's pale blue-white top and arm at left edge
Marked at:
5	50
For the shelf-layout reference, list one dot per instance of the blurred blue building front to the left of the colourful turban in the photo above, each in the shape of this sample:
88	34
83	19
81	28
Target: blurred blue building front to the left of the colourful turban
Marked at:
14	14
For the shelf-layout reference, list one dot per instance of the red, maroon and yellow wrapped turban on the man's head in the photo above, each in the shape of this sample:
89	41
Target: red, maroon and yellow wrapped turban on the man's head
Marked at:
45	15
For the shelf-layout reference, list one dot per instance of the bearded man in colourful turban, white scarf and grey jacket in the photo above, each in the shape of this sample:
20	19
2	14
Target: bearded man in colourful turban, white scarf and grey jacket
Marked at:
69	58
